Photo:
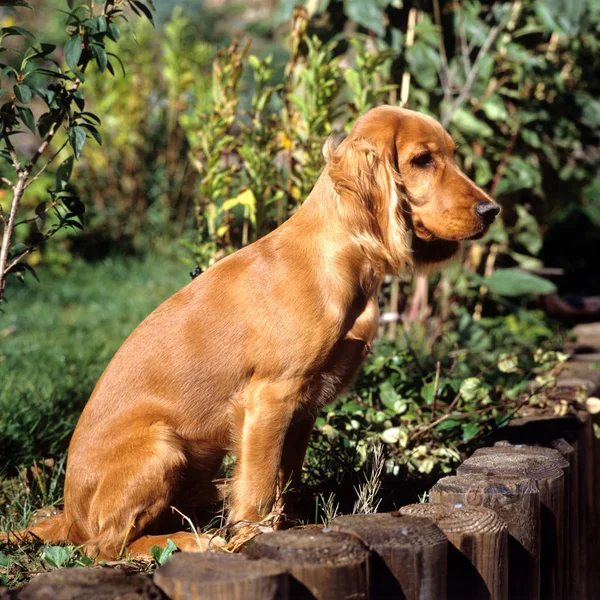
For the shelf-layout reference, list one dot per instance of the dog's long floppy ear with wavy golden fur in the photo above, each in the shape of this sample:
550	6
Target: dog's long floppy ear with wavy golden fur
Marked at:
368	186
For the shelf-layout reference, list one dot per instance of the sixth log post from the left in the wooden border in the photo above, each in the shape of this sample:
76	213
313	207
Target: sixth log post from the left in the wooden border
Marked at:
517	502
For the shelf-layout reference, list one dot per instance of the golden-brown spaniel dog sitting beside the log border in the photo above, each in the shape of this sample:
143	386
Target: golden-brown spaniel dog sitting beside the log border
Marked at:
242	359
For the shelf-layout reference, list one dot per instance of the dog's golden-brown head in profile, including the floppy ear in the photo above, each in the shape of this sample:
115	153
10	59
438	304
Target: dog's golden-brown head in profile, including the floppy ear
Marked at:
397	167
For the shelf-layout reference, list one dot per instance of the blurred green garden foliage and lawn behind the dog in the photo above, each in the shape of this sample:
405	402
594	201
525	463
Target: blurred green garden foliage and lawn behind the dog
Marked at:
212	140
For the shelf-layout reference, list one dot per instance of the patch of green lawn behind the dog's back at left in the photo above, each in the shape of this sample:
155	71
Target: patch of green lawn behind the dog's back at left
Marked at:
56	338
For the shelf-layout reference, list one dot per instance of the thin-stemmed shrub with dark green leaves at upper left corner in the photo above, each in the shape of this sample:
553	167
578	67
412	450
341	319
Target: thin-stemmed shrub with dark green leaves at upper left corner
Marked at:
35	74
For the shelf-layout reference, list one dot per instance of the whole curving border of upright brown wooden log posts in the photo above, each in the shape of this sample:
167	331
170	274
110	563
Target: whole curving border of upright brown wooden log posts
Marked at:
523	514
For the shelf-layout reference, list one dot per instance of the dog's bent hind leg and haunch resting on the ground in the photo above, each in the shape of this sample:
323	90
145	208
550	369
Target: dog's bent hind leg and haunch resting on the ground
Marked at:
130	497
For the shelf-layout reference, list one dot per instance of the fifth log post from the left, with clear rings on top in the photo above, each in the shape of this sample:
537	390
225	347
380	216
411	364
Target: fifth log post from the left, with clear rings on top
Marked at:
478	555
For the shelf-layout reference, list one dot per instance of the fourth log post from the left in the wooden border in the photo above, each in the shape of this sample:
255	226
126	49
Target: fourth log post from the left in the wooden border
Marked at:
409	554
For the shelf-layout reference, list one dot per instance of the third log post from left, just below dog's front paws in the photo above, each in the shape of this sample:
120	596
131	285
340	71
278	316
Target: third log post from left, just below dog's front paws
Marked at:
324	565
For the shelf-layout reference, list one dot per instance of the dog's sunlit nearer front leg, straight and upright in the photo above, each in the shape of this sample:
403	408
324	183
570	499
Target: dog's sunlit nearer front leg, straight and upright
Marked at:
267	418
